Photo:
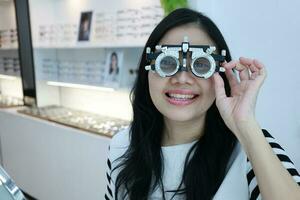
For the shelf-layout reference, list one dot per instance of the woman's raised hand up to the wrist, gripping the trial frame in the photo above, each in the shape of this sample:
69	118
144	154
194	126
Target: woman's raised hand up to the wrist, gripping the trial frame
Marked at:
238	110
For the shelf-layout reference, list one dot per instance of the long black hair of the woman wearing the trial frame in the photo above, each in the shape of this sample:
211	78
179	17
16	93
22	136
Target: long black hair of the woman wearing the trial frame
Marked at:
141	166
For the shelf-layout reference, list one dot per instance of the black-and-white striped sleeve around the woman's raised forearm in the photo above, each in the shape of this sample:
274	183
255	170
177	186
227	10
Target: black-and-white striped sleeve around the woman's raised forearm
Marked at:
285	160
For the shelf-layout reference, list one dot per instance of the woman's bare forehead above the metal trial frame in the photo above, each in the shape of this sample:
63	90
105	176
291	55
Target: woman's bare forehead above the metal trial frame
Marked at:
196	36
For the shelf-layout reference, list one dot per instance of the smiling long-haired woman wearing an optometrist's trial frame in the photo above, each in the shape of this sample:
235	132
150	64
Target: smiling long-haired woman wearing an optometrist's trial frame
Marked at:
196	137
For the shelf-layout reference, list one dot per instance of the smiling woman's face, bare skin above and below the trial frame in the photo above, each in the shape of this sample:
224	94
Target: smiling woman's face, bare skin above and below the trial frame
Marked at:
182	97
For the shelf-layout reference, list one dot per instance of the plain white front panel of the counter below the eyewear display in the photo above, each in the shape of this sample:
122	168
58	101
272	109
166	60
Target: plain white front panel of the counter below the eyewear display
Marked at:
51	161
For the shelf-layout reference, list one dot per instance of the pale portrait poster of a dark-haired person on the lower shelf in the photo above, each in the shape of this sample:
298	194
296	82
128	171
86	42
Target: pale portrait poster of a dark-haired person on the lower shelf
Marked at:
113	66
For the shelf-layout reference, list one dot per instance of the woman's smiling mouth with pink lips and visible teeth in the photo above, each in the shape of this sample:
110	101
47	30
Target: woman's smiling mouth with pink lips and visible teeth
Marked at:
181	97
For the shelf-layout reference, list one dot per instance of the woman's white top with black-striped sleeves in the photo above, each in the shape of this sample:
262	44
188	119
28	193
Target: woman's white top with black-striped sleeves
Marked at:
235	186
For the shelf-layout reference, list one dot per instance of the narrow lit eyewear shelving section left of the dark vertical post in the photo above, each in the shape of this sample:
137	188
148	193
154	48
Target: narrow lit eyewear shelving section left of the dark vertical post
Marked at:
11	93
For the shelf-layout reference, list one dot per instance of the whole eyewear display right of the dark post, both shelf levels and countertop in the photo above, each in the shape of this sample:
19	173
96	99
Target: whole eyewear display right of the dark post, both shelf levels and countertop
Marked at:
86	55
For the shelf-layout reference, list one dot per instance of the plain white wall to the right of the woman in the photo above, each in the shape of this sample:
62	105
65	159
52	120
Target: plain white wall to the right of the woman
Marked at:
269	31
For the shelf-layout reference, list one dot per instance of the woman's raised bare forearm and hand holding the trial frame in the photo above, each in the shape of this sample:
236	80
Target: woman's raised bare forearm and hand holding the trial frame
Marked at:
274	181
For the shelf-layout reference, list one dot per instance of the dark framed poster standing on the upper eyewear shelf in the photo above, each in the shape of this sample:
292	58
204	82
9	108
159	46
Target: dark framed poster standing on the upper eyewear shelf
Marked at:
85	26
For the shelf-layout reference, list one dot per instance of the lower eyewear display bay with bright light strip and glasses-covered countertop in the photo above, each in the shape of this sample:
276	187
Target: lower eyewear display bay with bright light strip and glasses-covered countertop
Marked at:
74	87
